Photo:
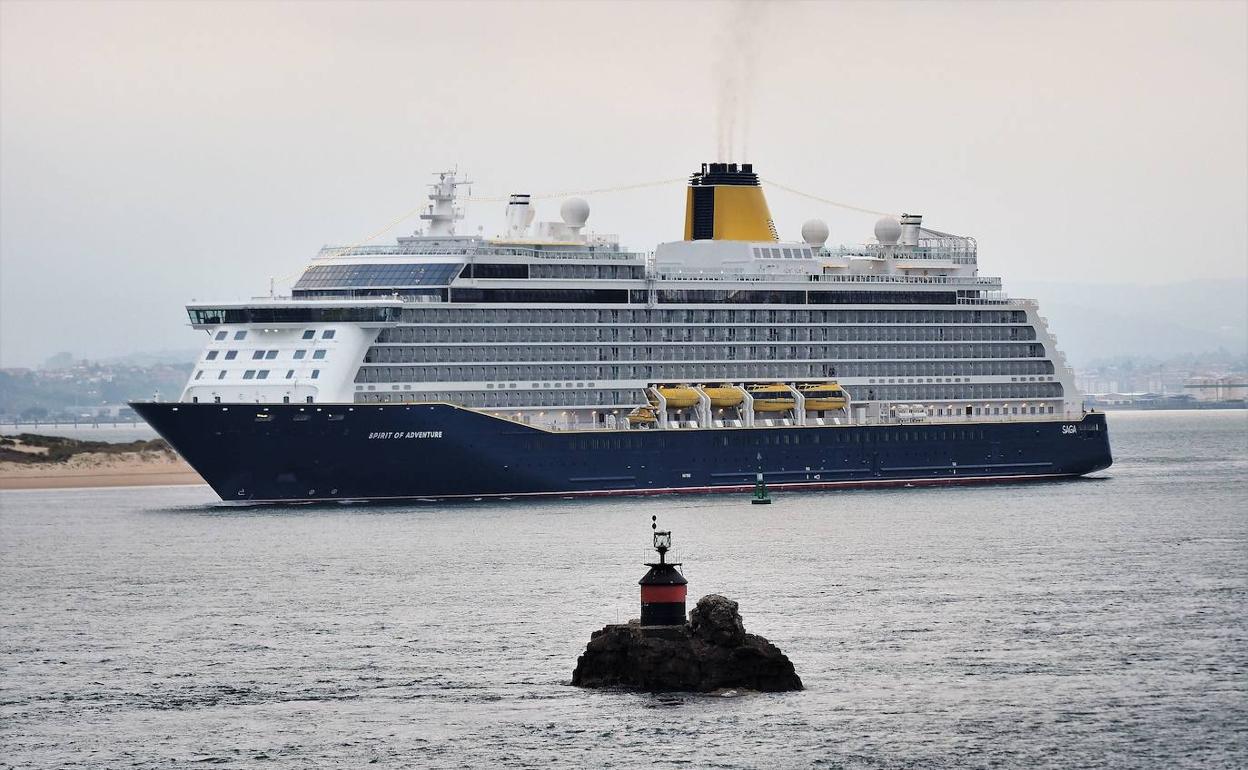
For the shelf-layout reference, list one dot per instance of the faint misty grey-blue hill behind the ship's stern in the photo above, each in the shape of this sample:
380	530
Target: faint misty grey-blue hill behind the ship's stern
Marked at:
1100	321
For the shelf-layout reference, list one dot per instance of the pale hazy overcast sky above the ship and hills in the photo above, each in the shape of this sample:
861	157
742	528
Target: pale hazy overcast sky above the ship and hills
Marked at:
152	154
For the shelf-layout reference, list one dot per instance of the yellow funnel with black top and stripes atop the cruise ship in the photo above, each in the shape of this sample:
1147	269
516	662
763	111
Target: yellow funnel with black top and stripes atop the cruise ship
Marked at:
724	203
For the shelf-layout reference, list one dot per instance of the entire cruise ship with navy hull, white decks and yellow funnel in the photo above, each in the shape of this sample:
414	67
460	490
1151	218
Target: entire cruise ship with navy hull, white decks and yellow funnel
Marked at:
552	361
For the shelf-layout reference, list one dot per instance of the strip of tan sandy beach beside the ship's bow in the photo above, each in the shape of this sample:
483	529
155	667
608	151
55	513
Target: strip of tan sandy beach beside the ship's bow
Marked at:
98	470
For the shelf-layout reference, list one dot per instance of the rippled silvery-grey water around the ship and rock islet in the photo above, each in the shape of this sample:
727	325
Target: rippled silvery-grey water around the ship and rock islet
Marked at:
1090	623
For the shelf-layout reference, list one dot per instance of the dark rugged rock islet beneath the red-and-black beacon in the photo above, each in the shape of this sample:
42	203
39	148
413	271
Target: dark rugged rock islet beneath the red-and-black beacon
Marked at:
712	652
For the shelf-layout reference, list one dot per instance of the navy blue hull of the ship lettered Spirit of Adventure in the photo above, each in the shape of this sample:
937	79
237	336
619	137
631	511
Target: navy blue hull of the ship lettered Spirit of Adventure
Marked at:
290	452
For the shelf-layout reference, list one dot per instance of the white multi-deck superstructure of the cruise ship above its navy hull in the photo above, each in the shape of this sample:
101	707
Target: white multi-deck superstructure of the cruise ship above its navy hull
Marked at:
555	326
